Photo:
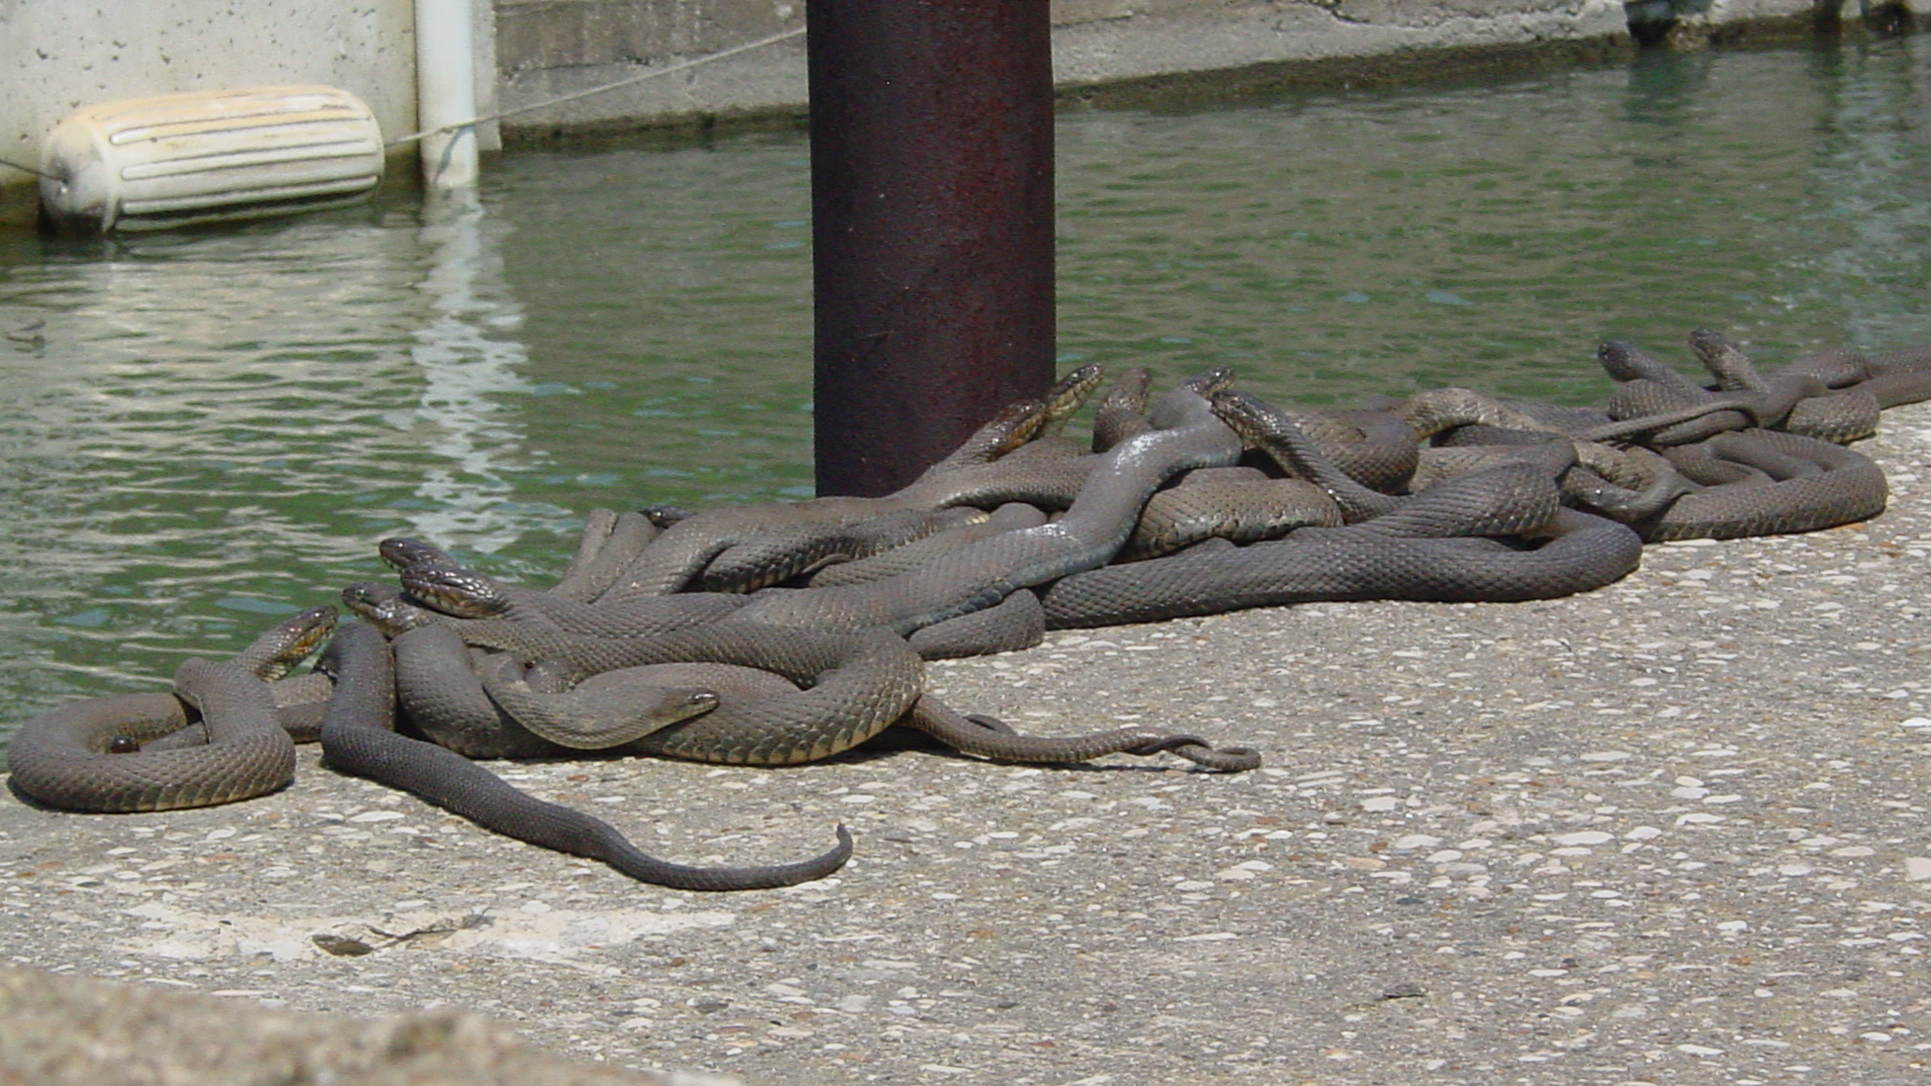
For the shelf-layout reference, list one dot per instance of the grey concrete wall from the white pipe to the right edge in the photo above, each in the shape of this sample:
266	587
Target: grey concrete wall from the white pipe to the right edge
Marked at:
1102	47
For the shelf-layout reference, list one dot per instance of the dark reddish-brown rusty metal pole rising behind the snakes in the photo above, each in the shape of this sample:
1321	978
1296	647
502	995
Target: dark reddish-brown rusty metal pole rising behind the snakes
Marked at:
932	204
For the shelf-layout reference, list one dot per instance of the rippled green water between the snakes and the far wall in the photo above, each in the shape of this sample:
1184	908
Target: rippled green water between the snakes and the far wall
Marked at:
206	432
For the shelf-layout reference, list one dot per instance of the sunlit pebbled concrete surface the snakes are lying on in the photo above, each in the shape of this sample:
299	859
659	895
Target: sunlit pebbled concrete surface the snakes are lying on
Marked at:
1671	832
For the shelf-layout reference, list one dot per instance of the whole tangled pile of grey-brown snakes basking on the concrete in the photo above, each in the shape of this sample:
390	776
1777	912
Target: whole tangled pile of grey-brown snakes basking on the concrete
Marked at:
789	633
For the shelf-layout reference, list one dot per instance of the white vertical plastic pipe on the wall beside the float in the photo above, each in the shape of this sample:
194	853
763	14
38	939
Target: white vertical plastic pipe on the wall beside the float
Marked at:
447	94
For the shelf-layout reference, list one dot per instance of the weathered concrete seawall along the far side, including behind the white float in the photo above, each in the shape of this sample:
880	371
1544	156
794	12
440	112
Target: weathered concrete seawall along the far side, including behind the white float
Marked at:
55	57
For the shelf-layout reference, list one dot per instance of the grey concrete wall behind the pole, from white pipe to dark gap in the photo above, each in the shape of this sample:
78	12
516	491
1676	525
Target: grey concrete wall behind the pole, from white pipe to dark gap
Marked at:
561	47
